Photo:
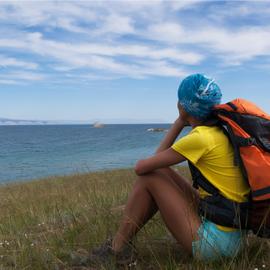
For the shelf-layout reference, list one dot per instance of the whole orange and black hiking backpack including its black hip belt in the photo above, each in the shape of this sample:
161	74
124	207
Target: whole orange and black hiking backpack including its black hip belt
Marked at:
248	129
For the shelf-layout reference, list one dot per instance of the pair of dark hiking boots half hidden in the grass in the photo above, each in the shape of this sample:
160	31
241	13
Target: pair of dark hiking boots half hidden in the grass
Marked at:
105	255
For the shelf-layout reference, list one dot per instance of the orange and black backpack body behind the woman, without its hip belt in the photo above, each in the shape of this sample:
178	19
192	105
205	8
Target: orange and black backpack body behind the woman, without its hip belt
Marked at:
248	129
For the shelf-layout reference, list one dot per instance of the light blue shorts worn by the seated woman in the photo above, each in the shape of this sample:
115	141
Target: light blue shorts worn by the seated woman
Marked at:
215	244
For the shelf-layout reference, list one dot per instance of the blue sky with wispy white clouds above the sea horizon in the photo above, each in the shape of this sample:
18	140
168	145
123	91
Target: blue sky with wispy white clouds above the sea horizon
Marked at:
122	61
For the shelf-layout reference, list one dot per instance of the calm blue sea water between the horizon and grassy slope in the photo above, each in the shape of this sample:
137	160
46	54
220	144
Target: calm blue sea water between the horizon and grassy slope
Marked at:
28	152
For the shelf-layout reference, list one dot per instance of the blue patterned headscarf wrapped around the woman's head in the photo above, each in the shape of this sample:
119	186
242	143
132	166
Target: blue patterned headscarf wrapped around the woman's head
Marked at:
197	94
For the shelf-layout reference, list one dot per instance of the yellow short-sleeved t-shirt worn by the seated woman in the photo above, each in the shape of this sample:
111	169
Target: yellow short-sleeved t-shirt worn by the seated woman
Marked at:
209	149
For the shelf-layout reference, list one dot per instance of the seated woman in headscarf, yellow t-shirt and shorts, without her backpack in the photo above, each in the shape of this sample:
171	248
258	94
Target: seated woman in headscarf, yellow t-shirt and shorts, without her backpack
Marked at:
160	188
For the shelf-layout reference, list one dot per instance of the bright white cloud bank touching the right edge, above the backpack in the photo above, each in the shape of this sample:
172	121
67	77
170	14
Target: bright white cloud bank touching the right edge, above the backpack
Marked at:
231	46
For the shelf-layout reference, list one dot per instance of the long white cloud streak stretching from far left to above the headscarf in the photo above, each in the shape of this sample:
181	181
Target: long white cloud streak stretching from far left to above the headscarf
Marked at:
101	57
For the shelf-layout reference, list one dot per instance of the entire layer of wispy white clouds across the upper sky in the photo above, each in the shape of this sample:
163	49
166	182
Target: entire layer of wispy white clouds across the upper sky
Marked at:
160	42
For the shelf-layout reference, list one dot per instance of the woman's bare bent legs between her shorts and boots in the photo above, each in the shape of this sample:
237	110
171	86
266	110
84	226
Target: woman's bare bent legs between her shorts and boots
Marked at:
172	195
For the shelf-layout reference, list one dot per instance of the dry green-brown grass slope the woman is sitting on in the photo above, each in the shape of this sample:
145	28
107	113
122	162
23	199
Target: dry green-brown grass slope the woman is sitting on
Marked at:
43	221
